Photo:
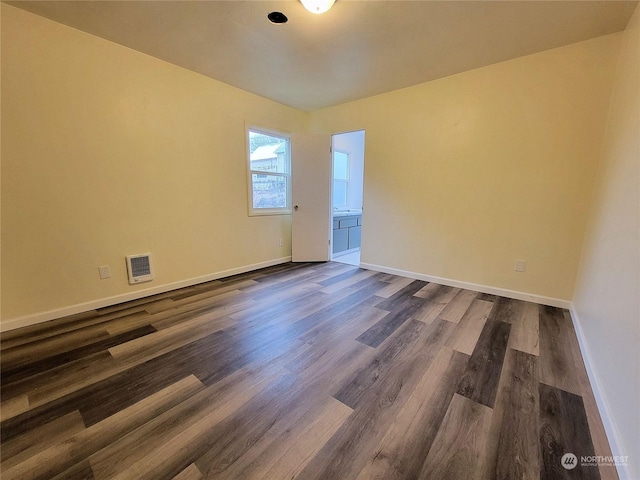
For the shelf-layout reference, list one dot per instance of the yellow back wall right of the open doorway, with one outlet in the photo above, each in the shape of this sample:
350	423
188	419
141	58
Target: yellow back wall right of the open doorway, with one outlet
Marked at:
466	174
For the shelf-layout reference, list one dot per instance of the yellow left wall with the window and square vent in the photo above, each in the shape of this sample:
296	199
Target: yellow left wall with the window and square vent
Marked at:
108	152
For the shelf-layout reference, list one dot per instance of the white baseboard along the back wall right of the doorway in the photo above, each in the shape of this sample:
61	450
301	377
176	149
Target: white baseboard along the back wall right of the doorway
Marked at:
554	302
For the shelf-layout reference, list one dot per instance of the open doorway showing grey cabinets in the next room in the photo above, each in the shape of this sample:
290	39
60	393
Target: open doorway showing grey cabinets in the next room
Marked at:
346	196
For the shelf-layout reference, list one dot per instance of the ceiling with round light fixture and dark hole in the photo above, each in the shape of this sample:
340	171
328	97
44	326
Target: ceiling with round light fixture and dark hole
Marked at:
357	49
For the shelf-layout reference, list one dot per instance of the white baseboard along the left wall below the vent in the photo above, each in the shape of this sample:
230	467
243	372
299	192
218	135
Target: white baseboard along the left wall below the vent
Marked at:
28	320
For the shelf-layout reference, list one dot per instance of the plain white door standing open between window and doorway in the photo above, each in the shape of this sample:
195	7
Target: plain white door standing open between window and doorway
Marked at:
311	195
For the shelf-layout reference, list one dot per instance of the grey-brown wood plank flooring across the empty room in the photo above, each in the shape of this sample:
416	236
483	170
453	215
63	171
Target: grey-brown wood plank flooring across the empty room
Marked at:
308	371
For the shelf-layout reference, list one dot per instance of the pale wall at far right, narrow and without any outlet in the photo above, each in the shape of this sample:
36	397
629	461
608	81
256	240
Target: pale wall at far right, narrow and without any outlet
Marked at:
607	297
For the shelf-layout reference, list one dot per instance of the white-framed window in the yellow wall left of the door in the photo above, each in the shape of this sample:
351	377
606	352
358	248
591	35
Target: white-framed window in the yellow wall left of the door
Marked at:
269	173
